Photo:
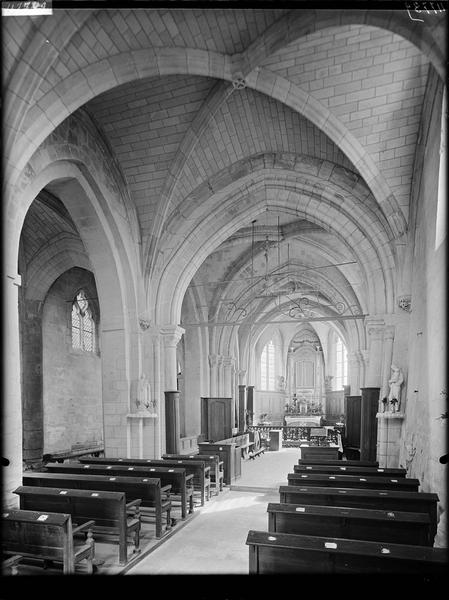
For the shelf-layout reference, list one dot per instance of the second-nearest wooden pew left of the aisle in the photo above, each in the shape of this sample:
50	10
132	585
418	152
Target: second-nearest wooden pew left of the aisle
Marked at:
107	511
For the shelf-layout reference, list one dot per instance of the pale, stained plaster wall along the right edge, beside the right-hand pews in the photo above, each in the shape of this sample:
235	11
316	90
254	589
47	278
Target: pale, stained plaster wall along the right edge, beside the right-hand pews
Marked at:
424	433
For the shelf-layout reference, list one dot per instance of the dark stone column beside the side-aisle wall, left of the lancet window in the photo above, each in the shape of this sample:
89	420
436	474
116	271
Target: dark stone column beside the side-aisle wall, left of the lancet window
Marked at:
32	400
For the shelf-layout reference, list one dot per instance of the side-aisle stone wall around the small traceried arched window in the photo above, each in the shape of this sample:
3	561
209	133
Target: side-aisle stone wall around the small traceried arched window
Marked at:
72	388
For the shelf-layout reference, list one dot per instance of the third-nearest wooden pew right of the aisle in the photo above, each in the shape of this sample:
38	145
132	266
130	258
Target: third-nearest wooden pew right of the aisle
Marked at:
363	498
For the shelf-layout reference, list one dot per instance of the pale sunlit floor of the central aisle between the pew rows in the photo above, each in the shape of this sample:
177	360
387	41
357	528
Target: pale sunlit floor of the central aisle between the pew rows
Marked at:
213	542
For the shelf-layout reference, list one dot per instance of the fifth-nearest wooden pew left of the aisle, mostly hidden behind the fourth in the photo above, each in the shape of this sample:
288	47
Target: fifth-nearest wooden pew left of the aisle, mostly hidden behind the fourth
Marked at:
197	468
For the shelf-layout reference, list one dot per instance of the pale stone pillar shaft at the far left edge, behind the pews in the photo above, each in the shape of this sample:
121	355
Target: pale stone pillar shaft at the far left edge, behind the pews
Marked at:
12	402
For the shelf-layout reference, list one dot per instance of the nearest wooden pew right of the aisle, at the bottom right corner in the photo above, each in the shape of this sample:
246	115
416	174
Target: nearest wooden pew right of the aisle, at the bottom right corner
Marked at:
275	553
